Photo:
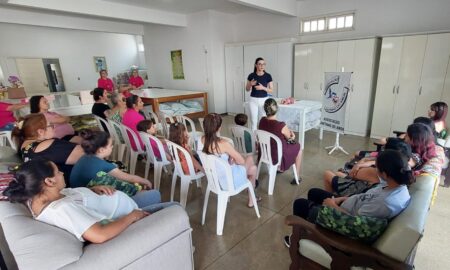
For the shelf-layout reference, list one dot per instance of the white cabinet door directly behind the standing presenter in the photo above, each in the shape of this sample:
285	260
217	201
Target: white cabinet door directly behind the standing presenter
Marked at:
266	51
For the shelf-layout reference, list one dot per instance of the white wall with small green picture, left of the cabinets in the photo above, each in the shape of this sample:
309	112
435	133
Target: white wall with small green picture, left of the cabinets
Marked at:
202	43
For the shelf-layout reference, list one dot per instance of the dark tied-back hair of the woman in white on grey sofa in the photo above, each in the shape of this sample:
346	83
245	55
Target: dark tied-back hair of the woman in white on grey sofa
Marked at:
29	180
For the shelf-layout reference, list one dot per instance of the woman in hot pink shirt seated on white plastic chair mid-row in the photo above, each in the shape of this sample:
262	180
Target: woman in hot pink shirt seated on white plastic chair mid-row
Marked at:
132	117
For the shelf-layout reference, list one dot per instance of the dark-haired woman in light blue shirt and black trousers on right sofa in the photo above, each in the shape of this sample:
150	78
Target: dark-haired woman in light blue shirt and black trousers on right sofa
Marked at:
387	200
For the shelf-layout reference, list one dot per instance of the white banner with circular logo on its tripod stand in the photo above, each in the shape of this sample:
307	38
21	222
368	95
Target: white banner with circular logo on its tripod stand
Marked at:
337	85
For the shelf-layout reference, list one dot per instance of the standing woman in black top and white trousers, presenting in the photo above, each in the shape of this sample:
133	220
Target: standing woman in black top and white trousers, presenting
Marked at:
260	83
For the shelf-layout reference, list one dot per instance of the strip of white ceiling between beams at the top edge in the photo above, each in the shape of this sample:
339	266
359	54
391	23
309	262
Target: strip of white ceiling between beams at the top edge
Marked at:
187	6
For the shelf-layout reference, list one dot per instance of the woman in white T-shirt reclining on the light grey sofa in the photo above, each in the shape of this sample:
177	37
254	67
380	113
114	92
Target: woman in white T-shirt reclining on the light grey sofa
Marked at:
95	215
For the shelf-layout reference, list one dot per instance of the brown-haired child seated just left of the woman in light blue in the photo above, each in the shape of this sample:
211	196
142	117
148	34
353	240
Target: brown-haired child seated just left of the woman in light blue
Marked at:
178	134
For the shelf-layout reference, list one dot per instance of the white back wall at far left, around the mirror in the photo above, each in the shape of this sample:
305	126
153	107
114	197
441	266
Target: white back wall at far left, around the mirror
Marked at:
74	48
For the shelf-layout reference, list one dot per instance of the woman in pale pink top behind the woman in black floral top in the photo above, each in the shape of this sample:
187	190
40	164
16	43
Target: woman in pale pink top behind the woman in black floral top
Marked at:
62	128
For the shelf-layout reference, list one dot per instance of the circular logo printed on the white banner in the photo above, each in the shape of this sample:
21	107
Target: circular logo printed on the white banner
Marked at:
334	96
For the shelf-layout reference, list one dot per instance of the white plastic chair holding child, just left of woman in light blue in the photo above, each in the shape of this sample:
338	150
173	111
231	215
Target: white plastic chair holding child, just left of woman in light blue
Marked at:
175	151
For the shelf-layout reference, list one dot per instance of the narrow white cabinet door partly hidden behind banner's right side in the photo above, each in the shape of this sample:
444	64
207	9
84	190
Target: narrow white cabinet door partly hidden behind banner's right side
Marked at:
345	64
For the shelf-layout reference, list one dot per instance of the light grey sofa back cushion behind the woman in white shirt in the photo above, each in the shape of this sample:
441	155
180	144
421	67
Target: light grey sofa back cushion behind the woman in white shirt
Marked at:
31	241
